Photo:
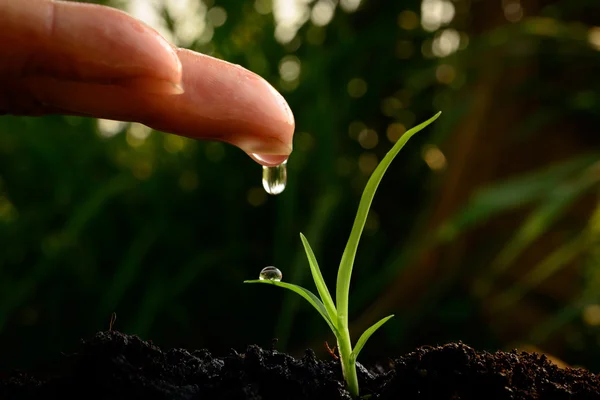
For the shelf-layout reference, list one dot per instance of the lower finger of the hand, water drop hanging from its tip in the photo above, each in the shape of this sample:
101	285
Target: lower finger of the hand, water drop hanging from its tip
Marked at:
222	101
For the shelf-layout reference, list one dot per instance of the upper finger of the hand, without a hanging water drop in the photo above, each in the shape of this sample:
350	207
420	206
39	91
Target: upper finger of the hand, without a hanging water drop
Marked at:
78	41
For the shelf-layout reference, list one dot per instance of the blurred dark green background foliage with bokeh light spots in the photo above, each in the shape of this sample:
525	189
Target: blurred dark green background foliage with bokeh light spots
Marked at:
486	228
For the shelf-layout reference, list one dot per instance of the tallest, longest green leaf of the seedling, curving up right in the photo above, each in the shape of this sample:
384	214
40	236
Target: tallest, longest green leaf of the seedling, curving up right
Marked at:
345	269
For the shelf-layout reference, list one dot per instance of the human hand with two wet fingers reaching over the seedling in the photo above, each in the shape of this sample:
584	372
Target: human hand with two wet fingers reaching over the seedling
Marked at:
59	57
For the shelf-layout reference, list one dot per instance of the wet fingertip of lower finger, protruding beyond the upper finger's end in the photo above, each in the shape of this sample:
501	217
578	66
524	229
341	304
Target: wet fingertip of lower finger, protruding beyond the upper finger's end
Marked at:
227	102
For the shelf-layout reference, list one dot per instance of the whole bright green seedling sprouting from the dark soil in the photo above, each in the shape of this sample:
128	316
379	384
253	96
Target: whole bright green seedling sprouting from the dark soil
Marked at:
336	315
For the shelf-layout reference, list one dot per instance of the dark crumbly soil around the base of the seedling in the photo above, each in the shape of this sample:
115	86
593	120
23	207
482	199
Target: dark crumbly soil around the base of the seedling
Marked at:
113	366
